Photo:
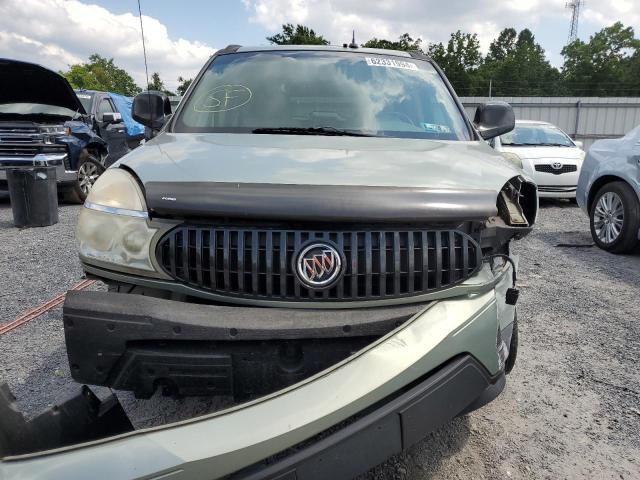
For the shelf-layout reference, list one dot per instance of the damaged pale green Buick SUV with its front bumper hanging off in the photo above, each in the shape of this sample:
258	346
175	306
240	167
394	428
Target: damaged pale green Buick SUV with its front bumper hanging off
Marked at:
318	233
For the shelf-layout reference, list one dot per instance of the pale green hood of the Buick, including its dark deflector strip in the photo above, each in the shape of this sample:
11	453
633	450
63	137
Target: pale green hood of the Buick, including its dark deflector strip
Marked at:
319	178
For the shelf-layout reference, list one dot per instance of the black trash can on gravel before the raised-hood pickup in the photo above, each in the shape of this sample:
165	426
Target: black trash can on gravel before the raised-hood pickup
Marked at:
34	196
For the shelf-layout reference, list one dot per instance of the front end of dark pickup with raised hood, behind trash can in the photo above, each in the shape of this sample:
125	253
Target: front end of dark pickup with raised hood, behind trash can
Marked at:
42	122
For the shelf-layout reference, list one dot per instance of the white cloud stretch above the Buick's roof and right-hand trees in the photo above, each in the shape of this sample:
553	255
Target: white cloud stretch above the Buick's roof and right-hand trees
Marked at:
430	20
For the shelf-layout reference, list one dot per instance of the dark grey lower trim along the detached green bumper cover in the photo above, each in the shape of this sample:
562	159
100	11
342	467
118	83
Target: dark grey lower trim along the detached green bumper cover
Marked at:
387	429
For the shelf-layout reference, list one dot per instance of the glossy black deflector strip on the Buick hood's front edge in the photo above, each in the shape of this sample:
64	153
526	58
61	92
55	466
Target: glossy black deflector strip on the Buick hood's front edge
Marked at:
317	203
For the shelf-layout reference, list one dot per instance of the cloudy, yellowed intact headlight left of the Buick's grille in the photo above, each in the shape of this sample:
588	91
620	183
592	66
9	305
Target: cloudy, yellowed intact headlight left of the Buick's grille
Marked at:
112	228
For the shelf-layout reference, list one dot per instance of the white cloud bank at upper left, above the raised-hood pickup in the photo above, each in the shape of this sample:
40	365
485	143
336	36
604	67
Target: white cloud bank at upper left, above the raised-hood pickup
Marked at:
57	33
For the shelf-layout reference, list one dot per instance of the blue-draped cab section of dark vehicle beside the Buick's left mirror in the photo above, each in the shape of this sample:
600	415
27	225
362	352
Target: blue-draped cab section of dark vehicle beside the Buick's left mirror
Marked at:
125	135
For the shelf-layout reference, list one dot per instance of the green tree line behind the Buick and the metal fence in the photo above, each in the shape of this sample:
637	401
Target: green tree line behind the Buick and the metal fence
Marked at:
607	65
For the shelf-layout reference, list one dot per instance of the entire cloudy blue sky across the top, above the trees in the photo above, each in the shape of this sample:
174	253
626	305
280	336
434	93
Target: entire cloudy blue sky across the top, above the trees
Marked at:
182	35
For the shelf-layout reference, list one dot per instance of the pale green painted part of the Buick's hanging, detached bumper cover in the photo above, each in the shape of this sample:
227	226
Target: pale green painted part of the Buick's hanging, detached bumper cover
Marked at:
214	445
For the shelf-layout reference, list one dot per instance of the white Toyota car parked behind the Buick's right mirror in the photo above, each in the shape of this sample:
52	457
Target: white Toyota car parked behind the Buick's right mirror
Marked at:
546	153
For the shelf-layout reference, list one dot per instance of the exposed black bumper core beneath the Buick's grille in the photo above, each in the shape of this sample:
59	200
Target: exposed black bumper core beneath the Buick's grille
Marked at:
129	341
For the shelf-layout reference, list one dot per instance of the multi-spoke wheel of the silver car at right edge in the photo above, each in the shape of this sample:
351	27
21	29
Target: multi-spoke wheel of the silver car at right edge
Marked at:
615	218
